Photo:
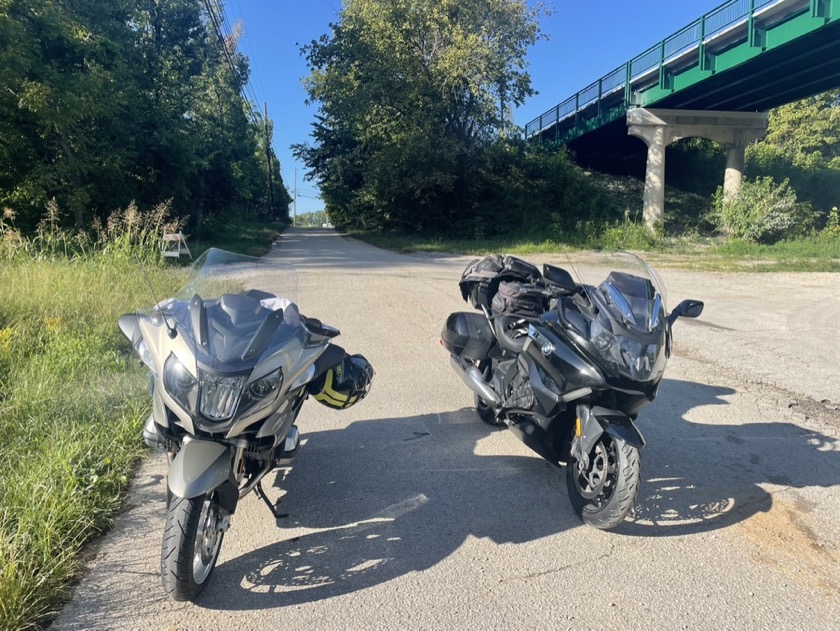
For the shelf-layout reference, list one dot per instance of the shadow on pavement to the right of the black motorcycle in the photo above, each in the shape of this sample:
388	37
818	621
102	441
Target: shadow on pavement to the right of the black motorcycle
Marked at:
700	473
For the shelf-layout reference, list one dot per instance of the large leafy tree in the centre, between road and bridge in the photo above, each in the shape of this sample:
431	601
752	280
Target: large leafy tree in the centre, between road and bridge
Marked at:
411	92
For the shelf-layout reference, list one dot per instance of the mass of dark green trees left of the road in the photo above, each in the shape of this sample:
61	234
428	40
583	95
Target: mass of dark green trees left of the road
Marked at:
110	101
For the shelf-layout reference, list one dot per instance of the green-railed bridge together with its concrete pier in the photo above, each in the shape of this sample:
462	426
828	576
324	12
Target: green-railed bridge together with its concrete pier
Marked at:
715	78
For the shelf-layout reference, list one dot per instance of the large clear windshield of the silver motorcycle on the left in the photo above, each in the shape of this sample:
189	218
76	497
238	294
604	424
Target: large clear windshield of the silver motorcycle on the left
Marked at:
233	308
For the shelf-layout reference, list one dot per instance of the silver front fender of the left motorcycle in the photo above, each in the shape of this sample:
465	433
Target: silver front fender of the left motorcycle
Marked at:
200	467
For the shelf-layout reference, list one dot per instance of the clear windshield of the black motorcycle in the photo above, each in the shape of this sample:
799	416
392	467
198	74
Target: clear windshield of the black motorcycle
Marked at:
625	284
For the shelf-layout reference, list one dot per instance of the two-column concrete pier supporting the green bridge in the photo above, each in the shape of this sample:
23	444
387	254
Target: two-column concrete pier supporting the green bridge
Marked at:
659	128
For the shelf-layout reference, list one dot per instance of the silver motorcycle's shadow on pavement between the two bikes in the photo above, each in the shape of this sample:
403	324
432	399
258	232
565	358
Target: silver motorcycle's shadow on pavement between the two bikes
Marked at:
377	500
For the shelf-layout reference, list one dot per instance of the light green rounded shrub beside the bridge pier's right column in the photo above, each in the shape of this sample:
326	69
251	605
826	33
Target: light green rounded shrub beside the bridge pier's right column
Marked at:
763	212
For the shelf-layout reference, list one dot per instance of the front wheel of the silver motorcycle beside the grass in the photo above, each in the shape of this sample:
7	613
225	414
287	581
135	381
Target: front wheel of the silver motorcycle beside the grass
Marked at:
192	539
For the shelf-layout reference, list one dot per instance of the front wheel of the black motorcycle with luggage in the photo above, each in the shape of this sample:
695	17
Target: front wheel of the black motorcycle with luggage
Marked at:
604	490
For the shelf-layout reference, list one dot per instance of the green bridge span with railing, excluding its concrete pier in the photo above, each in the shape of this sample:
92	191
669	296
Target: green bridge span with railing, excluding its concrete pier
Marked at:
745	56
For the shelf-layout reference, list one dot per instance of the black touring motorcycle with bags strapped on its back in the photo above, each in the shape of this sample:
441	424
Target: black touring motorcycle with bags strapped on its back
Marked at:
568	365
